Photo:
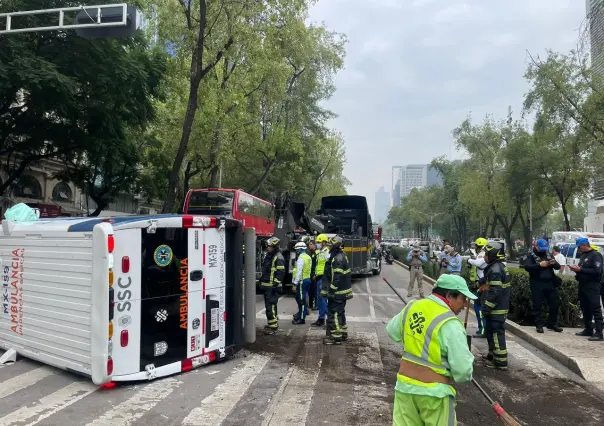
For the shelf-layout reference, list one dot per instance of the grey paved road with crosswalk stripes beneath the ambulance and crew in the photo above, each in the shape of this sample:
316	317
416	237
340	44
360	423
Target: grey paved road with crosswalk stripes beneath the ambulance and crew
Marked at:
292	379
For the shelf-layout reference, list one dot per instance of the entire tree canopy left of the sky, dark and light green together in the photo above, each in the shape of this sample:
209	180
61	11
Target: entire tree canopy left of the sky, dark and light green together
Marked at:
242	108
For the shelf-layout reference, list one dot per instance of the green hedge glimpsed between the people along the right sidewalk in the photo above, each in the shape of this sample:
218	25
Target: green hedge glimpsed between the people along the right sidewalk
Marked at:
520	302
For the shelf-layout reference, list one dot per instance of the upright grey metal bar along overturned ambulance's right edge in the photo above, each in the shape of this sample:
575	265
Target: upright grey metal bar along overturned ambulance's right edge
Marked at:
249	282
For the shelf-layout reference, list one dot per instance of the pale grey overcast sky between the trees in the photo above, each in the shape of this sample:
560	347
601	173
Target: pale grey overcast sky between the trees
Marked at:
415	68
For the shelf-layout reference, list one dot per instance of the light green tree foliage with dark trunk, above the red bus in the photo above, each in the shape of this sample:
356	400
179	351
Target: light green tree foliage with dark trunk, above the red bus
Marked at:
255	120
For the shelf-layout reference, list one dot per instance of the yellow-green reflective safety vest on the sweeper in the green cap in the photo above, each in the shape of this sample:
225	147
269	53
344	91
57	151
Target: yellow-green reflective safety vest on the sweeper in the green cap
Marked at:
421	321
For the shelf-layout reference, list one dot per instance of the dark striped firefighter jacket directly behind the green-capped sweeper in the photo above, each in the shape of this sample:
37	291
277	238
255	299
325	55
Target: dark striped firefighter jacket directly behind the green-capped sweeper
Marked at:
496	303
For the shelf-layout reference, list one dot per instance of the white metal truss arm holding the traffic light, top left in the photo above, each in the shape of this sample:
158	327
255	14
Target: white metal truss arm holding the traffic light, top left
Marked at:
95	11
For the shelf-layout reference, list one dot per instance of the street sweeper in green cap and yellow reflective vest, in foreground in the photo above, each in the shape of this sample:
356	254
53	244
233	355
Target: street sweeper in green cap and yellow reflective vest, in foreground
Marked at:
435	355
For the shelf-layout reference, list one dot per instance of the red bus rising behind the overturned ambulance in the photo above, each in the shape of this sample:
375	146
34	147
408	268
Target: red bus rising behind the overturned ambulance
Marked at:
234	203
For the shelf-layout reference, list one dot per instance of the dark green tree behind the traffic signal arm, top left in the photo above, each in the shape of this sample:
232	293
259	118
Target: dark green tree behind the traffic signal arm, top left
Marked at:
61	95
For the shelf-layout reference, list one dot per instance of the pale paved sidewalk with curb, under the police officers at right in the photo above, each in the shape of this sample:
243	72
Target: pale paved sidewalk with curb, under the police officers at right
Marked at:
579	355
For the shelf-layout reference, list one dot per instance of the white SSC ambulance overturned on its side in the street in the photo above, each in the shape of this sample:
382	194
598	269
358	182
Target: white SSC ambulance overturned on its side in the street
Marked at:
124	298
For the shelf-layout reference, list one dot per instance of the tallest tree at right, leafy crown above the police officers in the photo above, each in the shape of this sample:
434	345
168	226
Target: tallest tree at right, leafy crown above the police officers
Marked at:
564	133
